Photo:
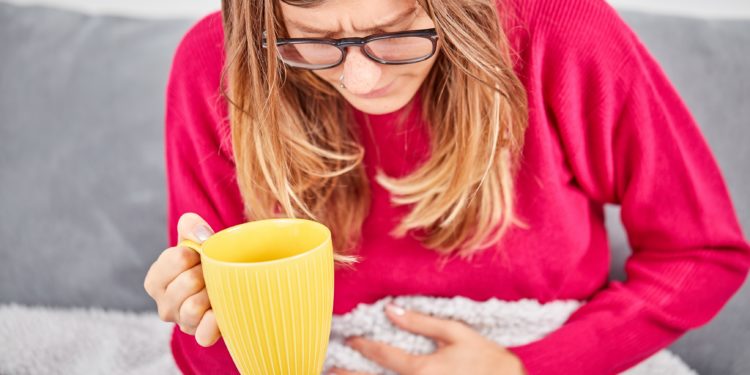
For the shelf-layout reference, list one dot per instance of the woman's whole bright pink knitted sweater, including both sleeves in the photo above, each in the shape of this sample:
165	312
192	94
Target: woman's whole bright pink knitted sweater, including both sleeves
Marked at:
606	126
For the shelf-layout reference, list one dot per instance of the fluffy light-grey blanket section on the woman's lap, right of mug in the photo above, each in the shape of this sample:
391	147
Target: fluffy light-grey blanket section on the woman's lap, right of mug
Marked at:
507	323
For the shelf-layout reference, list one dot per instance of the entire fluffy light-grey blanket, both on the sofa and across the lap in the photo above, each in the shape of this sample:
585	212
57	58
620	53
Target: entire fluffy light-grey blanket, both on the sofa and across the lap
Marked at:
39	340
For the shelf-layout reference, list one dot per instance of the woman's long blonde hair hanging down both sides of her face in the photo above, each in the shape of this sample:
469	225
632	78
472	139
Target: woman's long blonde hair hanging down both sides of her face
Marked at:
298	154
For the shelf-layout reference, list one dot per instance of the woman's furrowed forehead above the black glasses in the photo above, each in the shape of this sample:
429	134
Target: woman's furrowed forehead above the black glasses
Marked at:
345	14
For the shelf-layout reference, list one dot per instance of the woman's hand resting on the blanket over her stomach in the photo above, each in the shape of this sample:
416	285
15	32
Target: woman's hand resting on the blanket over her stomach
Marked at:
461	350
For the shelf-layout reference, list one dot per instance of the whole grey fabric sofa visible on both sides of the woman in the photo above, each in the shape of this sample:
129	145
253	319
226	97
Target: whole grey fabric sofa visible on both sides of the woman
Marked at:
82	187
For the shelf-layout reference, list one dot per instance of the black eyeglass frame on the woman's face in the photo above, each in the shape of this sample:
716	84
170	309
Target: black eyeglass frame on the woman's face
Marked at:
343	43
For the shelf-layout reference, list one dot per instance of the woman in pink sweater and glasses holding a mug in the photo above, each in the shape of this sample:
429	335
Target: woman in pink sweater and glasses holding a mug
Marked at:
455	147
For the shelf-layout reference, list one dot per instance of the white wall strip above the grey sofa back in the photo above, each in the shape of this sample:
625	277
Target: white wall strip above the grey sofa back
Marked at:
192	8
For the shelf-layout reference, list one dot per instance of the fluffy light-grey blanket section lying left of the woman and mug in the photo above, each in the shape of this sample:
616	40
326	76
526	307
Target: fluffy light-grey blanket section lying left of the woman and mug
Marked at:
40	340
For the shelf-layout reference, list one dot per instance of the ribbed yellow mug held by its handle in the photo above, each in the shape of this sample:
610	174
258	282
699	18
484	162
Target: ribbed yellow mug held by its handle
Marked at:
270	283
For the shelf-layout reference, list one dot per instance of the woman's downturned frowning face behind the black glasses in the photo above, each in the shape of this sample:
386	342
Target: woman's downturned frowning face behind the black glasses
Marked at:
369	86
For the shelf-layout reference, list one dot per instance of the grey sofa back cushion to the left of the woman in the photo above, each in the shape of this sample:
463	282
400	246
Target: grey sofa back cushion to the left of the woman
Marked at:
81	155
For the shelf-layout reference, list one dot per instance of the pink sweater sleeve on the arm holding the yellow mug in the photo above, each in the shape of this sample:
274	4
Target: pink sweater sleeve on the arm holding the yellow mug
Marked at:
200	169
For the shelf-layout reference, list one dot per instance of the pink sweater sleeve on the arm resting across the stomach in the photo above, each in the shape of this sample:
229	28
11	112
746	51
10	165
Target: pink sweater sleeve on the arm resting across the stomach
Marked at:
629	139
